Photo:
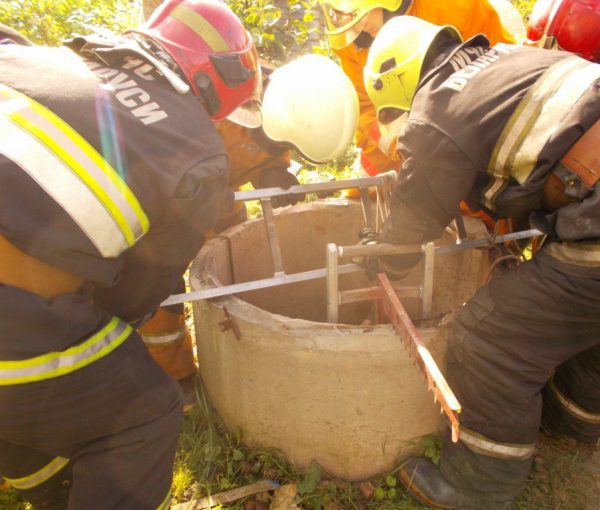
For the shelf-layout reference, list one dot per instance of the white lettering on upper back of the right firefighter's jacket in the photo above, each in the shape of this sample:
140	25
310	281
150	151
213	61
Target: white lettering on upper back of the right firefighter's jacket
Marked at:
466	65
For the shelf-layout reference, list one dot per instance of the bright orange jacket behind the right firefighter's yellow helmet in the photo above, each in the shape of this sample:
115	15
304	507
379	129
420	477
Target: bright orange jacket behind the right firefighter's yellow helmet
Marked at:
470	17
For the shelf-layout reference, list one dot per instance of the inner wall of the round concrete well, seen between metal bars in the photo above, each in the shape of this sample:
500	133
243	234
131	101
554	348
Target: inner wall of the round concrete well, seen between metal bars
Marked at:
304	234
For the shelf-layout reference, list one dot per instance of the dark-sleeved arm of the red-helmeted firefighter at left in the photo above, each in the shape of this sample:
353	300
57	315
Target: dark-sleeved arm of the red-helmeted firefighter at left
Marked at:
153	267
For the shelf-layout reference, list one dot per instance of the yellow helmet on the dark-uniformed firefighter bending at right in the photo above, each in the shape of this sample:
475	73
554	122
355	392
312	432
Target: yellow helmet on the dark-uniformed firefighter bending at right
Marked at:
395	61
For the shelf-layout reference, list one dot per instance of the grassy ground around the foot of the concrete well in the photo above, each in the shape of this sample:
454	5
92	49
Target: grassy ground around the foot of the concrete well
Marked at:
565	476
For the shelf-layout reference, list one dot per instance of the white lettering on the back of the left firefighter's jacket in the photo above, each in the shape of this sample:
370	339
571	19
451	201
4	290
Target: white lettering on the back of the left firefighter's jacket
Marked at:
127	90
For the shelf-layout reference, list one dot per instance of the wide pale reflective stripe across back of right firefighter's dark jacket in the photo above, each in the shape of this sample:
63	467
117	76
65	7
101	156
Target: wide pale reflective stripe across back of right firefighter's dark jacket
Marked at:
535	120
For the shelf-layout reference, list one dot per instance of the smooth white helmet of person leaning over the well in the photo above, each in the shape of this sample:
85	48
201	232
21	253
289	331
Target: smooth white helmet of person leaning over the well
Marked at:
312	105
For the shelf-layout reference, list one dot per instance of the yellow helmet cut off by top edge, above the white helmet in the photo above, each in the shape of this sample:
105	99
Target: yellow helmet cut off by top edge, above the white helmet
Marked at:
345	19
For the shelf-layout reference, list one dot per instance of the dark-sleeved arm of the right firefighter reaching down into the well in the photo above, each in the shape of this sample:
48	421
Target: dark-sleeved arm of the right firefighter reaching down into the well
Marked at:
435	177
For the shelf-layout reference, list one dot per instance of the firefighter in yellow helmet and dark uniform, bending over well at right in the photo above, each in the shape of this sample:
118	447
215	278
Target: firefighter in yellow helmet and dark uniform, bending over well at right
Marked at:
515	131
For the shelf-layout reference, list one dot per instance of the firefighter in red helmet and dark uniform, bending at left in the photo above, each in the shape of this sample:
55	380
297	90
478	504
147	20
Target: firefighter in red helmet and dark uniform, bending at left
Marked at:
111	171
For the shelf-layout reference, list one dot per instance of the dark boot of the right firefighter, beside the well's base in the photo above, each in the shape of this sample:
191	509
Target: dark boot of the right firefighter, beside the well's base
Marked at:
424	481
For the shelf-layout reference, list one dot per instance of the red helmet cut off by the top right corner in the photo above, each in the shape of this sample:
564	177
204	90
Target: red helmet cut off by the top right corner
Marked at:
571	25
